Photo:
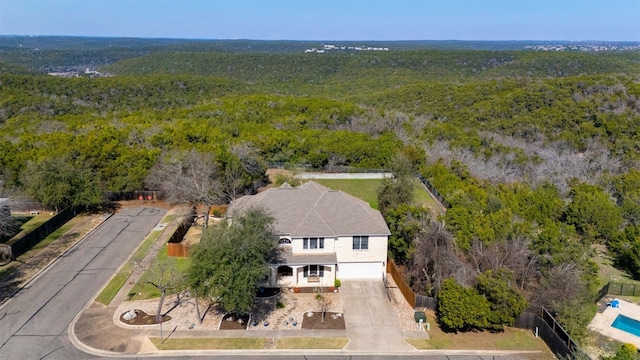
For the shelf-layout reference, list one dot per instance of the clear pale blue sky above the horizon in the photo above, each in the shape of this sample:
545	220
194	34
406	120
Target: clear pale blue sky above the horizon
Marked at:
327	19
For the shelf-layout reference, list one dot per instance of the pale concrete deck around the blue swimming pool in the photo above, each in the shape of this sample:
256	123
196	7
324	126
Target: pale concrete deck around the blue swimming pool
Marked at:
603	320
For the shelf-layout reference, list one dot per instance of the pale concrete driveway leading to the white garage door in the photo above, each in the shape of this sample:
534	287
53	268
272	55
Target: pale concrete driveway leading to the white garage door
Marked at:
372	325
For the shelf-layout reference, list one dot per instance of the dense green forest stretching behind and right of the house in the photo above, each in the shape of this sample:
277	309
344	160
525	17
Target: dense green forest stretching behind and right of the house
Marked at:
537	152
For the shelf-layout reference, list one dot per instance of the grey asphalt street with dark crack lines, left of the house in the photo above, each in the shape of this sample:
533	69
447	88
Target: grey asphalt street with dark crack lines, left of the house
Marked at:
33	325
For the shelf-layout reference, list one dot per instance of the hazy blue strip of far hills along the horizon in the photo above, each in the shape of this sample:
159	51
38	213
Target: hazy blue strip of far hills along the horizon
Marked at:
60	53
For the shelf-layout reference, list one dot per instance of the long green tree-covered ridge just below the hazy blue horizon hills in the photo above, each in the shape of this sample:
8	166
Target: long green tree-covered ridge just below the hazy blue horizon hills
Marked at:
339	73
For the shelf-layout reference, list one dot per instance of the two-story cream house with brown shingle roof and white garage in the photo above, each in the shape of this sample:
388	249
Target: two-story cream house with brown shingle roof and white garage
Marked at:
324	234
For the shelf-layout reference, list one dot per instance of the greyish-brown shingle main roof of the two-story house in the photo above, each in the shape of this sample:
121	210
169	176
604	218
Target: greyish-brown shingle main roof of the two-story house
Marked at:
315	210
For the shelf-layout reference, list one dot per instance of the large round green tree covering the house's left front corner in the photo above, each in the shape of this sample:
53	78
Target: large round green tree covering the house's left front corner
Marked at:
232	259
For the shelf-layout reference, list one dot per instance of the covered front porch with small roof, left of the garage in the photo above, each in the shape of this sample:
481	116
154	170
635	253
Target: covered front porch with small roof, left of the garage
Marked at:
314	270
